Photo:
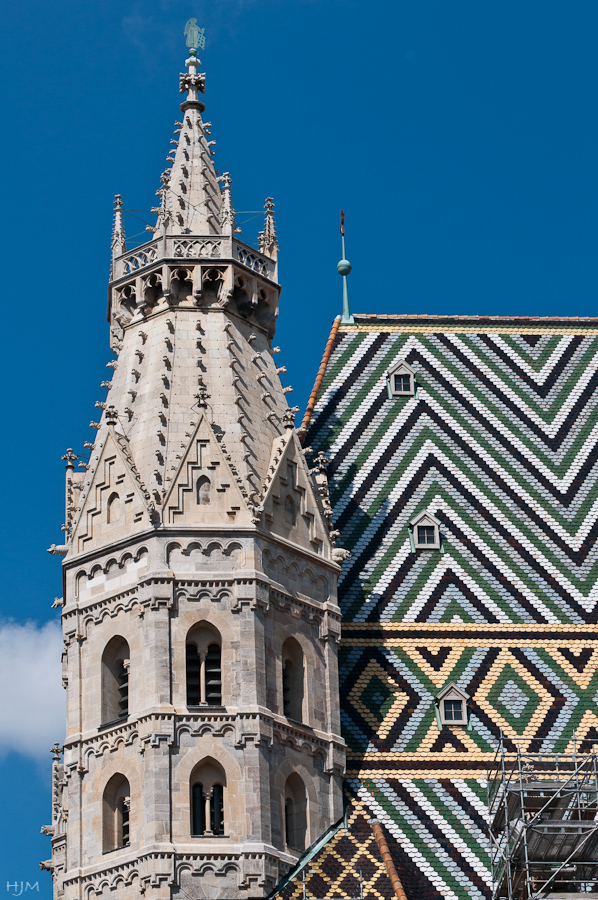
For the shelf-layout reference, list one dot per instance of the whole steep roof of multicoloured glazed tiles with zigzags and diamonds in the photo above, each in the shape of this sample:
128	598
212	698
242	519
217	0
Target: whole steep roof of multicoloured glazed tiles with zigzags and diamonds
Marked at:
500	444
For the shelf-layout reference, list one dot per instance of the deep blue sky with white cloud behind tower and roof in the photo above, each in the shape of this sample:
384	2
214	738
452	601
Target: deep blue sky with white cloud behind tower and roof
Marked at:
460	138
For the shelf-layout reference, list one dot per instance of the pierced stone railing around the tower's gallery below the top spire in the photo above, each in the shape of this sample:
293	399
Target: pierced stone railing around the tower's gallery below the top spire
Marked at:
198	247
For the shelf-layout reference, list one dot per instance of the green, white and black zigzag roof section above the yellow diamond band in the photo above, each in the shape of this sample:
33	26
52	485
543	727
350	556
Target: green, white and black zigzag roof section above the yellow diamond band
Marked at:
500	443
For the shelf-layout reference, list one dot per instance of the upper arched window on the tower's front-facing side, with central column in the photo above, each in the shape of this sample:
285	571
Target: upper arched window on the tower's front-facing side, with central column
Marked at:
204	666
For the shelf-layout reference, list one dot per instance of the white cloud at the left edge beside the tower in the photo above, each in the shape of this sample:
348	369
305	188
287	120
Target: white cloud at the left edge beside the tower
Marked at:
32	706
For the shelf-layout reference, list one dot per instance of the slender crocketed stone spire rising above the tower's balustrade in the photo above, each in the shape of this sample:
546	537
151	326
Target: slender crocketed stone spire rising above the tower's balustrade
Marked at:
191	202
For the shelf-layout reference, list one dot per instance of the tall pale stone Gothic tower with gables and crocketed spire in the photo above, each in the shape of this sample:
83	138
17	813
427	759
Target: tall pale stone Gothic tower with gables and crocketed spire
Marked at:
199	612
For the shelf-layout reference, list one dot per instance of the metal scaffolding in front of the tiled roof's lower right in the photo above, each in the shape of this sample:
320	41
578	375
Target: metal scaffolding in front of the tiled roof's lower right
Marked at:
543	825
